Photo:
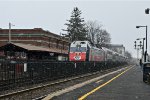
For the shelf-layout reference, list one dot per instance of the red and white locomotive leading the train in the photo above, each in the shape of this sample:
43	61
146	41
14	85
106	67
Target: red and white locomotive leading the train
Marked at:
84	51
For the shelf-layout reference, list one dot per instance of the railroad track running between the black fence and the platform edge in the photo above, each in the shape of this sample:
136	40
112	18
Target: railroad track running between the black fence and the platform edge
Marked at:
16	94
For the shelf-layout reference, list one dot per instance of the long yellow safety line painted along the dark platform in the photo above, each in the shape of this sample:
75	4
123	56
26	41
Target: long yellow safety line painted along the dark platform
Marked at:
94	90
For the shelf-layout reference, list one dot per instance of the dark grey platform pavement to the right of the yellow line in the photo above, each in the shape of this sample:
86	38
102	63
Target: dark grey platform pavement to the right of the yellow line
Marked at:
128	86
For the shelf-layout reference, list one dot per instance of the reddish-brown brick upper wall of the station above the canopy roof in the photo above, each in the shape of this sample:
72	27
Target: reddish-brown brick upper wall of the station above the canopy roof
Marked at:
37	36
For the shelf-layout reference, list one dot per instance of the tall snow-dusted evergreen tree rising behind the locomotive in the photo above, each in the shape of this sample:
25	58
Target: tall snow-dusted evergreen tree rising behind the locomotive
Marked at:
76	28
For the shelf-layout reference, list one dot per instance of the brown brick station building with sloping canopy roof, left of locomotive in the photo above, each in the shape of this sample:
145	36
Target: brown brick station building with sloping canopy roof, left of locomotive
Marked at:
33	44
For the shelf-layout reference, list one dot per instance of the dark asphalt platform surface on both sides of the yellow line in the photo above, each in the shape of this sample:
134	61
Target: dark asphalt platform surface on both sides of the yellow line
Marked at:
128	86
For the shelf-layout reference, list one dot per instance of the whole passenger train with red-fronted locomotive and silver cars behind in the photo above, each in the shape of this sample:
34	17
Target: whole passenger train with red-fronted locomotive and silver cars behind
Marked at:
84	51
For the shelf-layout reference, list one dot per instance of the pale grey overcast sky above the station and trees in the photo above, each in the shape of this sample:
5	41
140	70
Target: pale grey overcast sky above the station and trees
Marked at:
118	17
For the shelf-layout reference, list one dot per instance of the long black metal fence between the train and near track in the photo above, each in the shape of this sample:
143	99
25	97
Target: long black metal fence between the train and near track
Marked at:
14	74
